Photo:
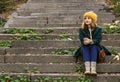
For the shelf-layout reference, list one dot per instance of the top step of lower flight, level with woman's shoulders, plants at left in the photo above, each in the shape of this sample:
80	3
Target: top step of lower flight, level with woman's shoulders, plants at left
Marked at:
49	31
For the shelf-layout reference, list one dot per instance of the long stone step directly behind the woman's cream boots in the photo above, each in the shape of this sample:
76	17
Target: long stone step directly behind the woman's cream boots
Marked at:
54	67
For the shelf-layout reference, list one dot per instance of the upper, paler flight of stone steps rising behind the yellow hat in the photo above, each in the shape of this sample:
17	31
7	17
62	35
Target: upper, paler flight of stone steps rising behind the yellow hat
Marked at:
58	13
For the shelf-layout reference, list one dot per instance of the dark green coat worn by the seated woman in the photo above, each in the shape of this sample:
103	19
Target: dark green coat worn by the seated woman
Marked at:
96	36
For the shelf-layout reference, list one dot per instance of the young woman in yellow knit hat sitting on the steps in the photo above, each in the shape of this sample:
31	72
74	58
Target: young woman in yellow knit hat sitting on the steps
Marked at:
90	36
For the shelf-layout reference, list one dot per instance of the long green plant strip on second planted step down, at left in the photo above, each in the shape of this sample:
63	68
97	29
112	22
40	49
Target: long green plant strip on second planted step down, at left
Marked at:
29	37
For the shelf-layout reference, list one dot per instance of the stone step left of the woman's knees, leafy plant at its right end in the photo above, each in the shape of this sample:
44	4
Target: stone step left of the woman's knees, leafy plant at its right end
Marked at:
35	51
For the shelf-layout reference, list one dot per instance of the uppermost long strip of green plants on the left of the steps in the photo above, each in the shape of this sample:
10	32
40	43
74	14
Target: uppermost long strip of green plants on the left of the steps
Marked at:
19	31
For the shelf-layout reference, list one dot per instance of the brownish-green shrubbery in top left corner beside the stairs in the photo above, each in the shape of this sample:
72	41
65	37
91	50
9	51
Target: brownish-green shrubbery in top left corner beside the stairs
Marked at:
6	8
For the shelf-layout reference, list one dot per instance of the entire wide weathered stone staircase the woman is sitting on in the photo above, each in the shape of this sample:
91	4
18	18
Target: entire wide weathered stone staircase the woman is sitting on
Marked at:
57	23
